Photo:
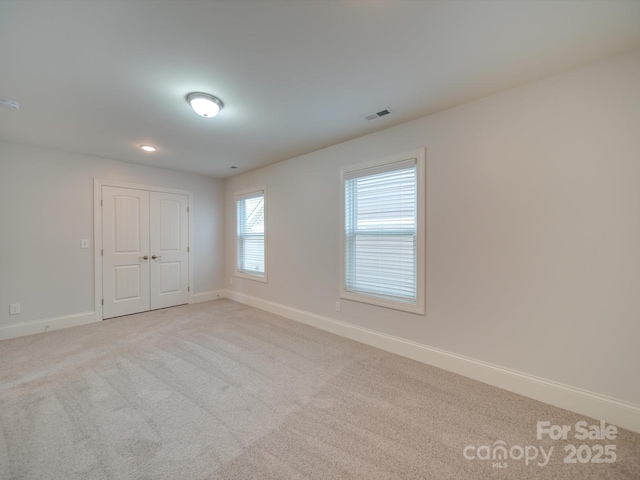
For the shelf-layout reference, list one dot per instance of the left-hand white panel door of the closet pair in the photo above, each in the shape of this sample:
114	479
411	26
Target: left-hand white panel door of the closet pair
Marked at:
125	226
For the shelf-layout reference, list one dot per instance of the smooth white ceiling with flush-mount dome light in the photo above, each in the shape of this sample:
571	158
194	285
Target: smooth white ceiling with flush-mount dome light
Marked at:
102	77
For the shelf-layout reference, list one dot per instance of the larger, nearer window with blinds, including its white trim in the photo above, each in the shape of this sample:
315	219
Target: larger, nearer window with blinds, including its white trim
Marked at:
383	255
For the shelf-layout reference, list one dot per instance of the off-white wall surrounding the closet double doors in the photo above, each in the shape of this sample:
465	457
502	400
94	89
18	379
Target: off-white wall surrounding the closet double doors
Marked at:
46	208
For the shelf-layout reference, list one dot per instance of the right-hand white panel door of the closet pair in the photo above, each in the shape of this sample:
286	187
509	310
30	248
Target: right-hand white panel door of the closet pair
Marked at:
169	224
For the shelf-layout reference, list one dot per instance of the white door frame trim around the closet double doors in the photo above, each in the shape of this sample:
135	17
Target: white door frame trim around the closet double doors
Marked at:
98	183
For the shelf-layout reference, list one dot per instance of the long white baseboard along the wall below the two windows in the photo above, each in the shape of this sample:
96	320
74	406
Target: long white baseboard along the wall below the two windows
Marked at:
600	407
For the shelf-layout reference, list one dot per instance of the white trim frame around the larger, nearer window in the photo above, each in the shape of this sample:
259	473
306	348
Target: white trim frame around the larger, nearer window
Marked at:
419	307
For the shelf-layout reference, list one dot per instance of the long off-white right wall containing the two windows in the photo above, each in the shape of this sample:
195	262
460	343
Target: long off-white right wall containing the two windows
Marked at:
533	230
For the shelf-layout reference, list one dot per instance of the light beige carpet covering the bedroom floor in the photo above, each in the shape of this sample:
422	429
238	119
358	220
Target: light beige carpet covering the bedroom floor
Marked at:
220	390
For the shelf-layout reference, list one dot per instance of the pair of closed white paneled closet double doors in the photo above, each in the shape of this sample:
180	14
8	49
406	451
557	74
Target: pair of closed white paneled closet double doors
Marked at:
145	257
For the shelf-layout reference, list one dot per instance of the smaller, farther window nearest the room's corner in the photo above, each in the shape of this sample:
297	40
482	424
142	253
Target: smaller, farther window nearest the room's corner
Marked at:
250	238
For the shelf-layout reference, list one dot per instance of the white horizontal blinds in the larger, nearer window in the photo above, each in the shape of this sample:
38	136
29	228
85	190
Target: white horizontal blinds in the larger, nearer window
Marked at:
381	231
